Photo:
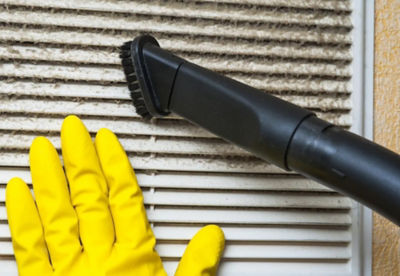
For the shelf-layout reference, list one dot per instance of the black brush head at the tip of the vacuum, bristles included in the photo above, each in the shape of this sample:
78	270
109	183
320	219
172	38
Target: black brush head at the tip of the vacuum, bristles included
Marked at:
150	73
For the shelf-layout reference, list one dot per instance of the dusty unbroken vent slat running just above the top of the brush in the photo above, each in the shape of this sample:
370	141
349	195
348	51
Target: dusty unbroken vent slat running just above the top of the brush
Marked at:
149	24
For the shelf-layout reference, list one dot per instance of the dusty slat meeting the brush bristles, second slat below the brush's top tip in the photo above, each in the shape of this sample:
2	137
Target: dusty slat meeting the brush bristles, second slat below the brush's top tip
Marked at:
230	64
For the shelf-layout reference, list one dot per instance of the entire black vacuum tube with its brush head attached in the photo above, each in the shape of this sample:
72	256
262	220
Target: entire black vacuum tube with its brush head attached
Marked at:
277	131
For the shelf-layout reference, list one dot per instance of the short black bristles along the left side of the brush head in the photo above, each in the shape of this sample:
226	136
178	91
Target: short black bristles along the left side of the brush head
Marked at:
133	83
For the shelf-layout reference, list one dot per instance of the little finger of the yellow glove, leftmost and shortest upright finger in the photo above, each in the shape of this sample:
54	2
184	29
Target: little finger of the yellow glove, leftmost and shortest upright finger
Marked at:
26	230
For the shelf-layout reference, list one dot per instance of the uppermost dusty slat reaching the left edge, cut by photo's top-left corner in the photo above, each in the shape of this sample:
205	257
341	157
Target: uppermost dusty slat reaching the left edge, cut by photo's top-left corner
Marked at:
191	10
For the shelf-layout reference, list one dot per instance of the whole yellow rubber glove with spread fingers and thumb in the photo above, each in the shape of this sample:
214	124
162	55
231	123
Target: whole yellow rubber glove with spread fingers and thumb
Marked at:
96	224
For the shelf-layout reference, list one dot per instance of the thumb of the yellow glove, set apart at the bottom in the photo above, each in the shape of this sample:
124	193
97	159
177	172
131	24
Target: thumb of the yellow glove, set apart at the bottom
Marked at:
202	255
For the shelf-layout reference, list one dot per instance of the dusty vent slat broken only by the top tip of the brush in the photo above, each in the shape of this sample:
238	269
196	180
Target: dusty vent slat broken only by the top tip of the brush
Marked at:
180	43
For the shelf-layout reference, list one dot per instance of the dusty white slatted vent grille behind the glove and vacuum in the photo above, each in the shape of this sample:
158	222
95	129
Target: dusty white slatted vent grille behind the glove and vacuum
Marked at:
61	57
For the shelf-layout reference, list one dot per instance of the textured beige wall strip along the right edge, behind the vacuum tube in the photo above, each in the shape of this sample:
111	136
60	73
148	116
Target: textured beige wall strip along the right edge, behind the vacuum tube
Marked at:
386	235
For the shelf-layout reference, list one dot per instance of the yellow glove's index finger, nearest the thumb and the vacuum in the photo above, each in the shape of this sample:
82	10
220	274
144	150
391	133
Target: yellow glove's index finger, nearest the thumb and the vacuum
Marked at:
126	200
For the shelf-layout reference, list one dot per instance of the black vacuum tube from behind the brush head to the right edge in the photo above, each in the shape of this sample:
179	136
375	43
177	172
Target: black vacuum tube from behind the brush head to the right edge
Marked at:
290	137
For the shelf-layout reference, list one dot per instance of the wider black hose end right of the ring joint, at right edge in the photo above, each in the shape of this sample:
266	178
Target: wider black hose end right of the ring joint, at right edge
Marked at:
349	164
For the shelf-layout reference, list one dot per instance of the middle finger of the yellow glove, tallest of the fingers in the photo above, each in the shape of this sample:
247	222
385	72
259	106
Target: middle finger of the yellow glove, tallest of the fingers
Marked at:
88	189
